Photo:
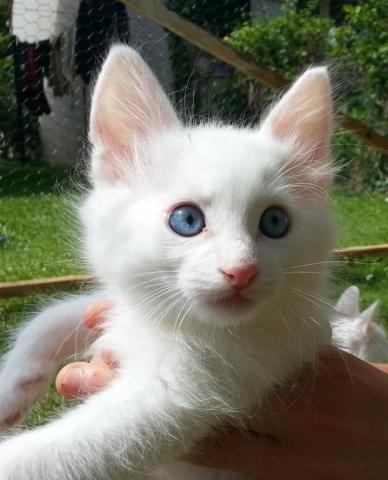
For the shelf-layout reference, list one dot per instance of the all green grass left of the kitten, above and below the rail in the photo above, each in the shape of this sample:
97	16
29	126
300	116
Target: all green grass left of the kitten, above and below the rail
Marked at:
34	218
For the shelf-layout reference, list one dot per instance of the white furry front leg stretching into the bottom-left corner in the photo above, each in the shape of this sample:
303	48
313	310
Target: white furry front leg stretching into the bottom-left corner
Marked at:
127	430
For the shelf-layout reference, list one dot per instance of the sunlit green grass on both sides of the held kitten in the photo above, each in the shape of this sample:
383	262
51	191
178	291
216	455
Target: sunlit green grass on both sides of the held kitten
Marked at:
37	245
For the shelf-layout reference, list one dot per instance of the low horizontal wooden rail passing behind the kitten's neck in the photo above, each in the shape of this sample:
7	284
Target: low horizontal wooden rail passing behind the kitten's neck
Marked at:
29	287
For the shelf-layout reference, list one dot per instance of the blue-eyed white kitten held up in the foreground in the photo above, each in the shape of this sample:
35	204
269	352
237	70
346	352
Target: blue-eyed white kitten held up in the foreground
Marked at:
212	241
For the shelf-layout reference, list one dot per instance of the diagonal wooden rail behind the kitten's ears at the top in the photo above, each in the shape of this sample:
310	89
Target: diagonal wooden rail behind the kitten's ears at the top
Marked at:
155	11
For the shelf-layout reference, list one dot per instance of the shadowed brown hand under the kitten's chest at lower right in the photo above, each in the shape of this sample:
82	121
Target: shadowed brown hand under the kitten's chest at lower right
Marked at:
331	424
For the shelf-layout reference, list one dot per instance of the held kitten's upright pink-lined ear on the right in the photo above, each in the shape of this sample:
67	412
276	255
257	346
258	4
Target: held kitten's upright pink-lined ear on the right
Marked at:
304	117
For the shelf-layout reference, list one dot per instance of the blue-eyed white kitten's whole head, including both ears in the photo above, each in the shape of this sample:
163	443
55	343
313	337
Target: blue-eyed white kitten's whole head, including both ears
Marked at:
218	220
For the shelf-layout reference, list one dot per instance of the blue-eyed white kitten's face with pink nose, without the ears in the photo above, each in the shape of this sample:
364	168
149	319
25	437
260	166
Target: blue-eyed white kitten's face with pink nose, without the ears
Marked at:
228	179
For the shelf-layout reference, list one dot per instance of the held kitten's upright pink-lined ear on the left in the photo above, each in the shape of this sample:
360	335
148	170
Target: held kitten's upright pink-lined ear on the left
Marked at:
128	105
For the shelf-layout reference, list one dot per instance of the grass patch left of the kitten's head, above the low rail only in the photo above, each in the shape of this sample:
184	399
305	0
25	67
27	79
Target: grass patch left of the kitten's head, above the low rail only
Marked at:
35	220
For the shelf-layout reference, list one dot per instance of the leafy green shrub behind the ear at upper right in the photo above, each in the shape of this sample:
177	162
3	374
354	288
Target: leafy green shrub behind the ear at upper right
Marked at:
357	52
